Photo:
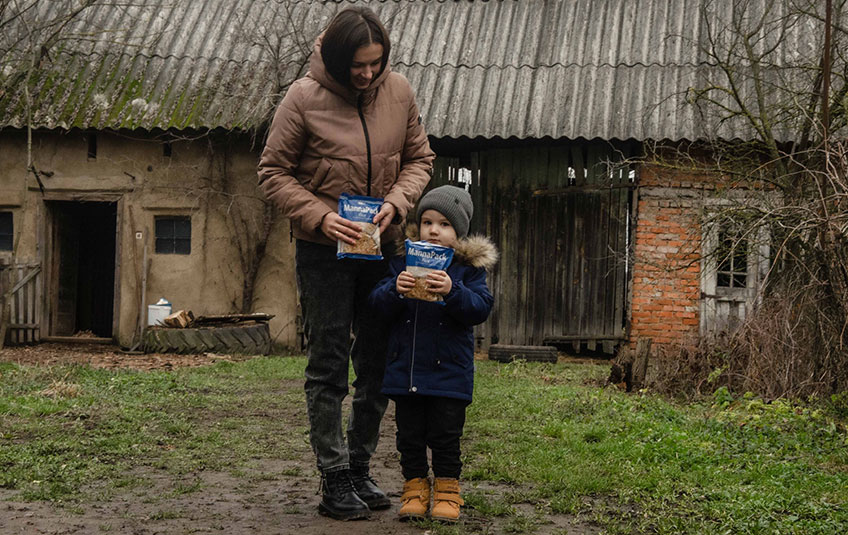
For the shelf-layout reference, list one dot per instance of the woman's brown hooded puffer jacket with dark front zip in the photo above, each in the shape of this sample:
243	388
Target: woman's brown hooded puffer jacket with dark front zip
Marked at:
317	149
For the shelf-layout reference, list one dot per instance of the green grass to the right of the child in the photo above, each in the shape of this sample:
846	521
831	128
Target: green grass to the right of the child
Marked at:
738	466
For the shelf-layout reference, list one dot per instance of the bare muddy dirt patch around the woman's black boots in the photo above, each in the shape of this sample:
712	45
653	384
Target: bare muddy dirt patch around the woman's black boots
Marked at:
226	504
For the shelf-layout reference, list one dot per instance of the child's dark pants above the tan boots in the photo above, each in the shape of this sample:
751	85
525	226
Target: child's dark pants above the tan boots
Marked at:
434	422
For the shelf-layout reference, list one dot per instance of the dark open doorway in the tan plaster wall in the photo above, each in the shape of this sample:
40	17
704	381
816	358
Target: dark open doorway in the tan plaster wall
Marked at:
83	286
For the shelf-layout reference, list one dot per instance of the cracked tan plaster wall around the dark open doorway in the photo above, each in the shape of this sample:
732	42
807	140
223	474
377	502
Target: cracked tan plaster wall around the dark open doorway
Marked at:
212	180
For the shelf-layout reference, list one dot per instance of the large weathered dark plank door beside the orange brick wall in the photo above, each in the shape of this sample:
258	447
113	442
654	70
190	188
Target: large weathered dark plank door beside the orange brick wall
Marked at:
563	271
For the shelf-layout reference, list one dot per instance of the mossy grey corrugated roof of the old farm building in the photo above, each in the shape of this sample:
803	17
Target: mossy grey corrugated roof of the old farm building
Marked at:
534	68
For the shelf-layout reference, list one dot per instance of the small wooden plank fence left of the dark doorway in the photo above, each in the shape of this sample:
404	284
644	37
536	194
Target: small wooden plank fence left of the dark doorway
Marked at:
23	297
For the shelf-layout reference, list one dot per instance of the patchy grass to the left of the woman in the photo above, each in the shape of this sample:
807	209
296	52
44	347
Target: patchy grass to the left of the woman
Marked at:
54	446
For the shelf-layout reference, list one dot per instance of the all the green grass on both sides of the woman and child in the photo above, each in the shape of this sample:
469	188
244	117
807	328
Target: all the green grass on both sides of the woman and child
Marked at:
543	443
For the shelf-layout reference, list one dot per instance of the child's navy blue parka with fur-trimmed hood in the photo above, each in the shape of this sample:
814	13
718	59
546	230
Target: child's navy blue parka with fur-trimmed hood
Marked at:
431	345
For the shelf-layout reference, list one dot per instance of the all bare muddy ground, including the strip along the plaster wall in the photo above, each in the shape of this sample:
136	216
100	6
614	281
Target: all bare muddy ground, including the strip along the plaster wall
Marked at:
230	503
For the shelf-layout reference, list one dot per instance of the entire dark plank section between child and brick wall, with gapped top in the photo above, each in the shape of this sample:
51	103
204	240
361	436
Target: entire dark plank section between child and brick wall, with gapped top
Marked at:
559	216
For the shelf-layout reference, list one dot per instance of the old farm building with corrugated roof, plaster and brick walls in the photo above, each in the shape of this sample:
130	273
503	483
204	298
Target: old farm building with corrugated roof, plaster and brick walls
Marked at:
129	138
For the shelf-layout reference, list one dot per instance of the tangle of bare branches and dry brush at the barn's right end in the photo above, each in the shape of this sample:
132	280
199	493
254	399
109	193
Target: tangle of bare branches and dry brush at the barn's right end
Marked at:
791	95
